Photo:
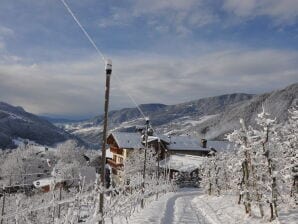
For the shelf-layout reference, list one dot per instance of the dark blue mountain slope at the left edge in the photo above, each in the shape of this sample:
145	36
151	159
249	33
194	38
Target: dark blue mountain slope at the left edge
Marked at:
16	122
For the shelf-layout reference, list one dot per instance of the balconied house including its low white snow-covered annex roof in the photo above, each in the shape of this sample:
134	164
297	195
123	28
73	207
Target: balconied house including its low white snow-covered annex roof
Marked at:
185	151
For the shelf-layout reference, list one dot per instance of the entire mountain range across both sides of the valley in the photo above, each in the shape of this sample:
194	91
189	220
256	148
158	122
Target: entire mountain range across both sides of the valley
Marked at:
210	118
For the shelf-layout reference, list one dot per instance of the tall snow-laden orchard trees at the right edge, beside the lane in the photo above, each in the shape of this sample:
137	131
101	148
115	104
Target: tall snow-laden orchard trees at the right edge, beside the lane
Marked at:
264	155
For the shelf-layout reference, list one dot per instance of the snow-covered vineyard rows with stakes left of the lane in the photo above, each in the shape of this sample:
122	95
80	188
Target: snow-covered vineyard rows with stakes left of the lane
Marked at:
80	204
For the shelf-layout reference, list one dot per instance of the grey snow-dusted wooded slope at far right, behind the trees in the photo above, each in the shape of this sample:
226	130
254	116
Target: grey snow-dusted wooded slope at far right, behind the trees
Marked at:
277	103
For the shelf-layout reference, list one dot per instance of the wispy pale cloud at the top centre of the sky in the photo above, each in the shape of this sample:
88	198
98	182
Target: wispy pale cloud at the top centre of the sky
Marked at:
172	15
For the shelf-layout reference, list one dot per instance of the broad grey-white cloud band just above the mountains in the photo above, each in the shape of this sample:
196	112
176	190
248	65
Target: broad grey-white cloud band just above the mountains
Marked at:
77	87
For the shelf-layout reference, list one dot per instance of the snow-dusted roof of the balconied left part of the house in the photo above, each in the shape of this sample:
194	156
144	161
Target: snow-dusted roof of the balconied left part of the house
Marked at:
128	140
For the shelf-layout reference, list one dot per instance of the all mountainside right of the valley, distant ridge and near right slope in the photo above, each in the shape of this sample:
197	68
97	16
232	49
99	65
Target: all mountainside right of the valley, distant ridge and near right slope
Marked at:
210	118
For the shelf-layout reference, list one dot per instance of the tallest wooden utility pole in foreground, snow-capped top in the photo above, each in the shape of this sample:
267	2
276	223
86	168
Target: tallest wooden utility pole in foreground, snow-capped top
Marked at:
104	137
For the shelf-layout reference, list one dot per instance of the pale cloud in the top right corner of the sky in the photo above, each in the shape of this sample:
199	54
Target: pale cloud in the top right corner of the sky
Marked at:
281	11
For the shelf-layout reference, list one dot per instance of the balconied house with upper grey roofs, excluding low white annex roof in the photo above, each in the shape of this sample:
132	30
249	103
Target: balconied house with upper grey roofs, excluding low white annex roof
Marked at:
123	143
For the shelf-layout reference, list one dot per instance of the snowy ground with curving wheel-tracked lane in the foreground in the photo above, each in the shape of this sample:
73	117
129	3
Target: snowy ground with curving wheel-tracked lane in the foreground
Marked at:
191	206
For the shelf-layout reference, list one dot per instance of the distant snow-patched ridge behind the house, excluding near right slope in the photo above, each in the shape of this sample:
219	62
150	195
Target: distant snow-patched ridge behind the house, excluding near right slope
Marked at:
165	118
